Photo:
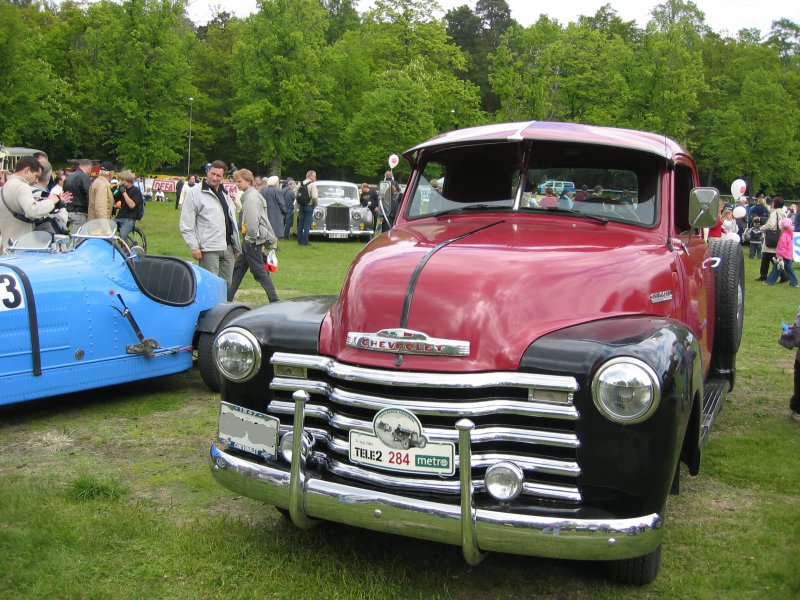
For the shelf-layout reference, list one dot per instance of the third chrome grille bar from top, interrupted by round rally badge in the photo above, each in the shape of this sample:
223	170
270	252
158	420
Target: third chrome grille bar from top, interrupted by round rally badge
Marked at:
480	434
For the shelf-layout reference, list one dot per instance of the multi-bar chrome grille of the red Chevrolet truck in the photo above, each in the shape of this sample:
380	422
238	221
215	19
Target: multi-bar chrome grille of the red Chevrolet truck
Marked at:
538	436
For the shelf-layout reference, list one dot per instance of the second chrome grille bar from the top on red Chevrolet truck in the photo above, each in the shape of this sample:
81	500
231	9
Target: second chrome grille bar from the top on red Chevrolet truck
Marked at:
422	407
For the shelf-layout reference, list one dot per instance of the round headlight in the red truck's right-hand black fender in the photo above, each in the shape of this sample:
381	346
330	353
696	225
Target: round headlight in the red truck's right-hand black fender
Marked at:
626	390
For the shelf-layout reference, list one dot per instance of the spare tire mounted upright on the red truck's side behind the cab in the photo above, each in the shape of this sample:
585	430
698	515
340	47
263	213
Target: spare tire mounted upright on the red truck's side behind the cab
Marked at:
729	305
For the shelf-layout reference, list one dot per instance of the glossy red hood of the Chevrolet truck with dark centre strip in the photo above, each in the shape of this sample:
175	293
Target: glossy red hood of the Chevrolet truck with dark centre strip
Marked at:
498	285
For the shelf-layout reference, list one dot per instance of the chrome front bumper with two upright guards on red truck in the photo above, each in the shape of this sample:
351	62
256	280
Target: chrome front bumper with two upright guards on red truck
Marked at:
310	499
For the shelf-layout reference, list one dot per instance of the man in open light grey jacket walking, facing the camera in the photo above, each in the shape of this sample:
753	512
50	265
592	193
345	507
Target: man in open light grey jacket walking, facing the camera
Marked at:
208	224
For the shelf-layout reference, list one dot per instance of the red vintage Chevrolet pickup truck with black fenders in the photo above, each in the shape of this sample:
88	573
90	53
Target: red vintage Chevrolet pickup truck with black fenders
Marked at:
497	373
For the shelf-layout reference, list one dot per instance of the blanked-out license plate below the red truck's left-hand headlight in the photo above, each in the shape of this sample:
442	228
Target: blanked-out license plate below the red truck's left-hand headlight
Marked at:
248	430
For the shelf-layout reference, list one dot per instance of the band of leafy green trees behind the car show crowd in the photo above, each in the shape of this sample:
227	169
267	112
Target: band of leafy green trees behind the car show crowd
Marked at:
305	84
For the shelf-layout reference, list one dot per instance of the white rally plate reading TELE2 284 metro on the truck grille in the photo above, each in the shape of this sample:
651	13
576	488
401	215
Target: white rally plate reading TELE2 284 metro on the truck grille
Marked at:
433	458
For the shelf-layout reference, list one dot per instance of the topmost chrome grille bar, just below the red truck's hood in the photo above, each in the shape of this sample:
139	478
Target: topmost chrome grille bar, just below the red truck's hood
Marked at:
426	379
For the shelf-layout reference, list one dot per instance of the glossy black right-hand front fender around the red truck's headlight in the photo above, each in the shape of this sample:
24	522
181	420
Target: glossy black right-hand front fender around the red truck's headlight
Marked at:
626	467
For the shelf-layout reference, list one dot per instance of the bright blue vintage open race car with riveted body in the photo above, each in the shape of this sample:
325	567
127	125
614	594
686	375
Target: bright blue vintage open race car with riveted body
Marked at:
85	311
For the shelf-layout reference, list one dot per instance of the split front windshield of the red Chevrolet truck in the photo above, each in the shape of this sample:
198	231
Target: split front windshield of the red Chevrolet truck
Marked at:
611	183
